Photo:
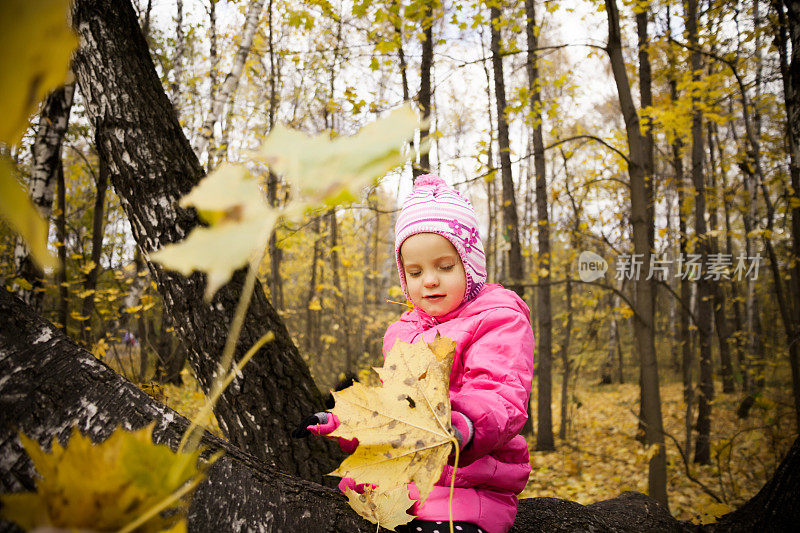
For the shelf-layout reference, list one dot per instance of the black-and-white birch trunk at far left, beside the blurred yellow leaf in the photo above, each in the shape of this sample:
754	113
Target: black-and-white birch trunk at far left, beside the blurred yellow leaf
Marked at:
46	152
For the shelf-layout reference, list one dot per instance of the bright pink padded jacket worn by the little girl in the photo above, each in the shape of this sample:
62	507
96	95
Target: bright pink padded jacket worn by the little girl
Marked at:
490	383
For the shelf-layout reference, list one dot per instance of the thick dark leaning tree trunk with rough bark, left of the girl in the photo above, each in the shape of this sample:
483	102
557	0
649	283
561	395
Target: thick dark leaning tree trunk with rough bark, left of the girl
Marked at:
152	166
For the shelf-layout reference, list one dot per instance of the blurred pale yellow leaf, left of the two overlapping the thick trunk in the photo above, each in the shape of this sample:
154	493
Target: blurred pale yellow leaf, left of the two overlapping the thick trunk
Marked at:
240	222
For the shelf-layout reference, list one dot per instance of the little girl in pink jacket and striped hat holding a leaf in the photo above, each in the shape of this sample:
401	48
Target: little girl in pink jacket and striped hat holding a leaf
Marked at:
442	270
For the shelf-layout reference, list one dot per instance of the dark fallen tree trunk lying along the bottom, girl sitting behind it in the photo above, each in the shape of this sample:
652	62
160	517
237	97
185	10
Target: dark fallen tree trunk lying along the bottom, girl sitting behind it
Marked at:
49	384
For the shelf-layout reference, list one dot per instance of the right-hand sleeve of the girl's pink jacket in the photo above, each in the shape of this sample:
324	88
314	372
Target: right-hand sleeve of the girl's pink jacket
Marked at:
496	384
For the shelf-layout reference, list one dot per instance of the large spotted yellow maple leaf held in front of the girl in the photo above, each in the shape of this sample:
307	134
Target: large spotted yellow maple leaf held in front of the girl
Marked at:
403	425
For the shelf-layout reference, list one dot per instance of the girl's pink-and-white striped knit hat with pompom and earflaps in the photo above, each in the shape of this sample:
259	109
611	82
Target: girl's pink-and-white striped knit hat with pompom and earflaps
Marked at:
435	207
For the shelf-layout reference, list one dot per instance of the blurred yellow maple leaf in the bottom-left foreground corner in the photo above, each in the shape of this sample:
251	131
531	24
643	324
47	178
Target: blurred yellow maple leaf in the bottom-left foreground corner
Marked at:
104	486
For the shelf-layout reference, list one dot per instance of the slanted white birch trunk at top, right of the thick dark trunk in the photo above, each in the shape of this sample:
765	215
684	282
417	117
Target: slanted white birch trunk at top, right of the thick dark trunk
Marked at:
228	87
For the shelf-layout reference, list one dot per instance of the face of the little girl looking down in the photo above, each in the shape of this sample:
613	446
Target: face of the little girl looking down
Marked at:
435	276
